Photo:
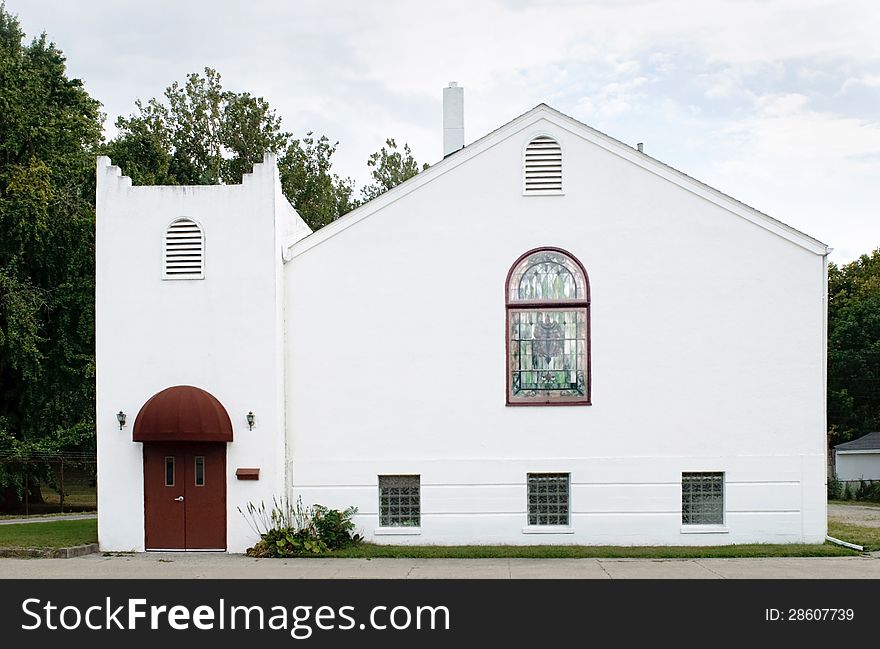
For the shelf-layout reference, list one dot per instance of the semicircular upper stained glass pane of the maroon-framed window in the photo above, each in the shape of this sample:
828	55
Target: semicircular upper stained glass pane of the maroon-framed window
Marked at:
547	275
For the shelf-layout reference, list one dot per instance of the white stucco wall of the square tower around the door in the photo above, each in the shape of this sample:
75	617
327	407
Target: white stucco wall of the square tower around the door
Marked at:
222	334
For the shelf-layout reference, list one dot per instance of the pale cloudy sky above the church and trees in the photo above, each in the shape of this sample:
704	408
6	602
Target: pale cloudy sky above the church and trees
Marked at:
775	102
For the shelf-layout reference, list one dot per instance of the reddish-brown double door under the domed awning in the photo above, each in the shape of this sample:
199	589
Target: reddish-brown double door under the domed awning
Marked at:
185	495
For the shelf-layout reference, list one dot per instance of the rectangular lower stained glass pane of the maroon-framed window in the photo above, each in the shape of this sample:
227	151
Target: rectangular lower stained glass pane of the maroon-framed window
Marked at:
548	353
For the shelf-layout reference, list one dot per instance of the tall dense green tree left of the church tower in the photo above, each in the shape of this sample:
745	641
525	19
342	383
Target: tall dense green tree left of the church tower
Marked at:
49	130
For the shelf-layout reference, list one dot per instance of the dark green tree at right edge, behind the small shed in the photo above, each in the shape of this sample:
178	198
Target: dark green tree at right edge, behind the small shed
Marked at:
854	348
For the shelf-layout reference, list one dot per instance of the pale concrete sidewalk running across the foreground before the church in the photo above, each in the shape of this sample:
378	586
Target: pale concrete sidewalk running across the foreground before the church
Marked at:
223	566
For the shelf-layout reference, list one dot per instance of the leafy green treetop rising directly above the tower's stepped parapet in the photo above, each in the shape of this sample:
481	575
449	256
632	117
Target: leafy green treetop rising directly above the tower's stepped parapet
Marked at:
199	134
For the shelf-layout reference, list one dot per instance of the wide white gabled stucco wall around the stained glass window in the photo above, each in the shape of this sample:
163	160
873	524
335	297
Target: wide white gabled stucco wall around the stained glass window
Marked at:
707	355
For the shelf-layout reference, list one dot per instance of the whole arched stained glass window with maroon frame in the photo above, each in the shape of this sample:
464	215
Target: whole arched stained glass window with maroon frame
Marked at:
548	330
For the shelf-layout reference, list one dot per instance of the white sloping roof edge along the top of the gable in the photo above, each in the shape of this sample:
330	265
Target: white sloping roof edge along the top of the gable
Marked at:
616	147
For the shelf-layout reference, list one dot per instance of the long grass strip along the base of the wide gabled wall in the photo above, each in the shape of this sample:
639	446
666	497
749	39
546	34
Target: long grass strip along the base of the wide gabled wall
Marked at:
371	551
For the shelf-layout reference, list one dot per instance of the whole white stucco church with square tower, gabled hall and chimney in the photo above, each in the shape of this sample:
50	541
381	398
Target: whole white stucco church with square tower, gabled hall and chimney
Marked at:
546	337
